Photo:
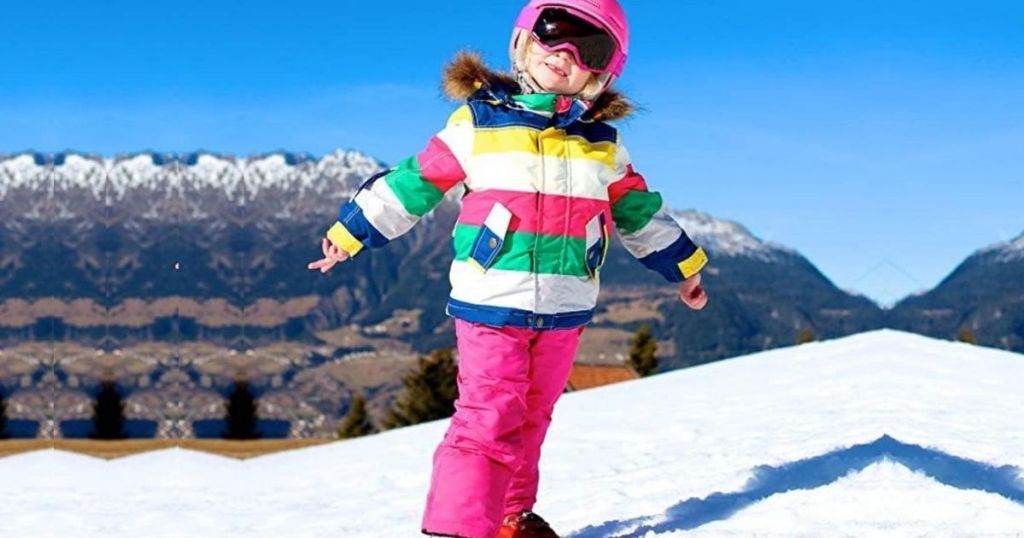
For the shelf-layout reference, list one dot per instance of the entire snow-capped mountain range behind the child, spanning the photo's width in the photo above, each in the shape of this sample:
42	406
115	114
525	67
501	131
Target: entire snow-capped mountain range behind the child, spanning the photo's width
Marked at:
161	269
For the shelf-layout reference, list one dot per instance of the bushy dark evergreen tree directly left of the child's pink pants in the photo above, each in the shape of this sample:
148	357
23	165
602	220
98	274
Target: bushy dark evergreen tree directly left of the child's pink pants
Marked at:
431	392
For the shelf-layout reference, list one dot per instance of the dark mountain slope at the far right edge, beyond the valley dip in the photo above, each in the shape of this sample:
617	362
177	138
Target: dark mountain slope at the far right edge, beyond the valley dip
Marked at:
982	299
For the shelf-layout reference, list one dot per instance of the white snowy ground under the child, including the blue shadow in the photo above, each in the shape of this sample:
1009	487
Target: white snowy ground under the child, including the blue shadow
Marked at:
883	434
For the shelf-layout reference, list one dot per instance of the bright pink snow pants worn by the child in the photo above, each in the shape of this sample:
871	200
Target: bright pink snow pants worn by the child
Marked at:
487	466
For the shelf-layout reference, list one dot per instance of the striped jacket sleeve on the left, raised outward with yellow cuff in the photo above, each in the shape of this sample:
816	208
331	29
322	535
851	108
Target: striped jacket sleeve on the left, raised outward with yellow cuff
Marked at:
391	203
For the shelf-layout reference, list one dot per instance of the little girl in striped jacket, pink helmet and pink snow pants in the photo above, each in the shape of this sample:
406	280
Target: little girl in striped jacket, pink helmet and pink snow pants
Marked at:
545	176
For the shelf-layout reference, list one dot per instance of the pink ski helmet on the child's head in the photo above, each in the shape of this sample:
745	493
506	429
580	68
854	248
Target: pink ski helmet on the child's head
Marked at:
607	15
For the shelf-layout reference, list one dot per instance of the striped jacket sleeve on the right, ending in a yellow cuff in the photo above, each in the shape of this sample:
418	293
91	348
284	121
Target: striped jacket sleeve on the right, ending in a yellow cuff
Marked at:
647	228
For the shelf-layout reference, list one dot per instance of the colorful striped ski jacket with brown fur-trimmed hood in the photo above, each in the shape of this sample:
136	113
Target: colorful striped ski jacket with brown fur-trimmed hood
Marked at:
545	180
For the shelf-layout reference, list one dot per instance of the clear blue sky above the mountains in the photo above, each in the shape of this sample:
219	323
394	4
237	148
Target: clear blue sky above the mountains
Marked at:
885	141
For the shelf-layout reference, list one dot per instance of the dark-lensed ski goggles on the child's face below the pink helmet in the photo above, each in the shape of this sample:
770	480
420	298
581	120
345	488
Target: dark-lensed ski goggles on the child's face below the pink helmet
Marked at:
592	48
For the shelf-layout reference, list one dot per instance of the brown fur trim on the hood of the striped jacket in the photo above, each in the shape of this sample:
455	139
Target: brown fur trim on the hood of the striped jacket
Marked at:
467	74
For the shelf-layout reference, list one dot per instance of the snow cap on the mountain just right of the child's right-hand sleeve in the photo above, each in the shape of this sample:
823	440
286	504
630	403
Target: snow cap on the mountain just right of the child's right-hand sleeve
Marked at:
729	238
